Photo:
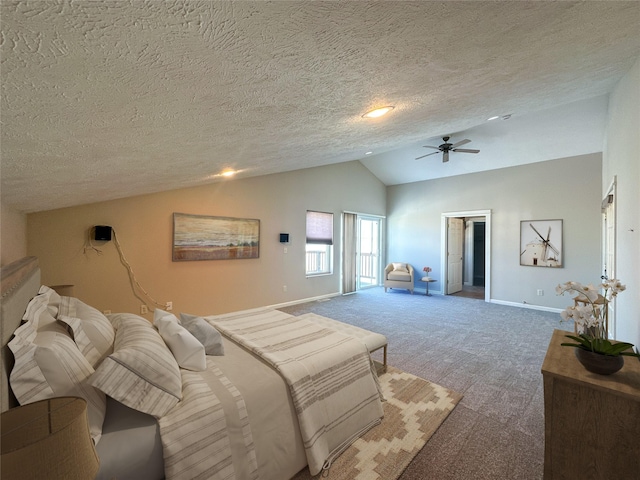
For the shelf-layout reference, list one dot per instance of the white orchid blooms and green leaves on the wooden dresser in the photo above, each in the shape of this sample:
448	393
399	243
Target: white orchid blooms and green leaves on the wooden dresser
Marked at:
591	317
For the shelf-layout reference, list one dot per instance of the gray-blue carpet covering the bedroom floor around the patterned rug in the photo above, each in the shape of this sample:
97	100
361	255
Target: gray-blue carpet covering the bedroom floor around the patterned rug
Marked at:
490	353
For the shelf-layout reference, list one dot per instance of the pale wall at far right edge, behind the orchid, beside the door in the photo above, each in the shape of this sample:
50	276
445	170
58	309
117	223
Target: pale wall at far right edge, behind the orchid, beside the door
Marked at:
622	161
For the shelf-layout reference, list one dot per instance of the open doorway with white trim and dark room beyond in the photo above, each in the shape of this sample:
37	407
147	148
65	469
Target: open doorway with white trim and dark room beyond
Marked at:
466	254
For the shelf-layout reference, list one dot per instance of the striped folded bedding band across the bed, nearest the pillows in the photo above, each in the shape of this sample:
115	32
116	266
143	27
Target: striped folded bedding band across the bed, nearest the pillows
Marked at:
194	434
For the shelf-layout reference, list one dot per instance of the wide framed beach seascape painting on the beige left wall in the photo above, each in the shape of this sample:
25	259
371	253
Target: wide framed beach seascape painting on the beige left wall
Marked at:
200	237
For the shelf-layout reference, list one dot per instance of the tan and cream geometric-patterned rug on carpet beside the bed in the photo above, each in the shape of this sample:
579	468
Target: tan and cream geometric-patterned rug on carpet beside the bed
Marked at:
414	410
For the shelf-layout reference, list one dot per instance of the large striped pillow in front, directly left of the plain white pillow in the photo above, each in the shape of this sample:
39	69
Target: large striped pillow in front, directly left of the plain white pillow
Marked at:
141	372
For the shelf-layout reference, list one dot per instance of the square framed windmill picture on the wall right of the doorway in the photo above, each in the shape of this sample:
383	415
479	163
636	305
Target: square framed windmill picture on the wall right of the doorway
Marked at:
541	243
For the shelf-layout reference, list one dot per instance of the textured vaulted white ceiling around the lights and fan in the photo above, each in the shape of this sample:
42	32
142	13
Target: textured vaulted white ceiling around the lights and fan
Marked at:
103	100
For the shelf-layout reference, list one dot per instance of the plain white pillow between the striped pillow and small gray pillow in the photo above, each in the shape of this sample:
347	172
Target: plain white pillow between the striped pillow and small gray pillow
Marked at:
187	350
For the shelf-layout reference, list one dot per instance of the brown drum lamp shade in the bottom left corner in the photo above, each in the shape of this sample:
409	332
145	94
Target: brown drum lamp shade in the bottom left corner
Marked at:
48	439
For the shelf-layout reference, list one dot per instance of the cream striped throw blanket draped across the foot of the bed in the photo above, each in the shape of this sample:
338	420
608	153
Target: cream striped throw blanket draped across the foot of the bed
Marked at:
329	374
